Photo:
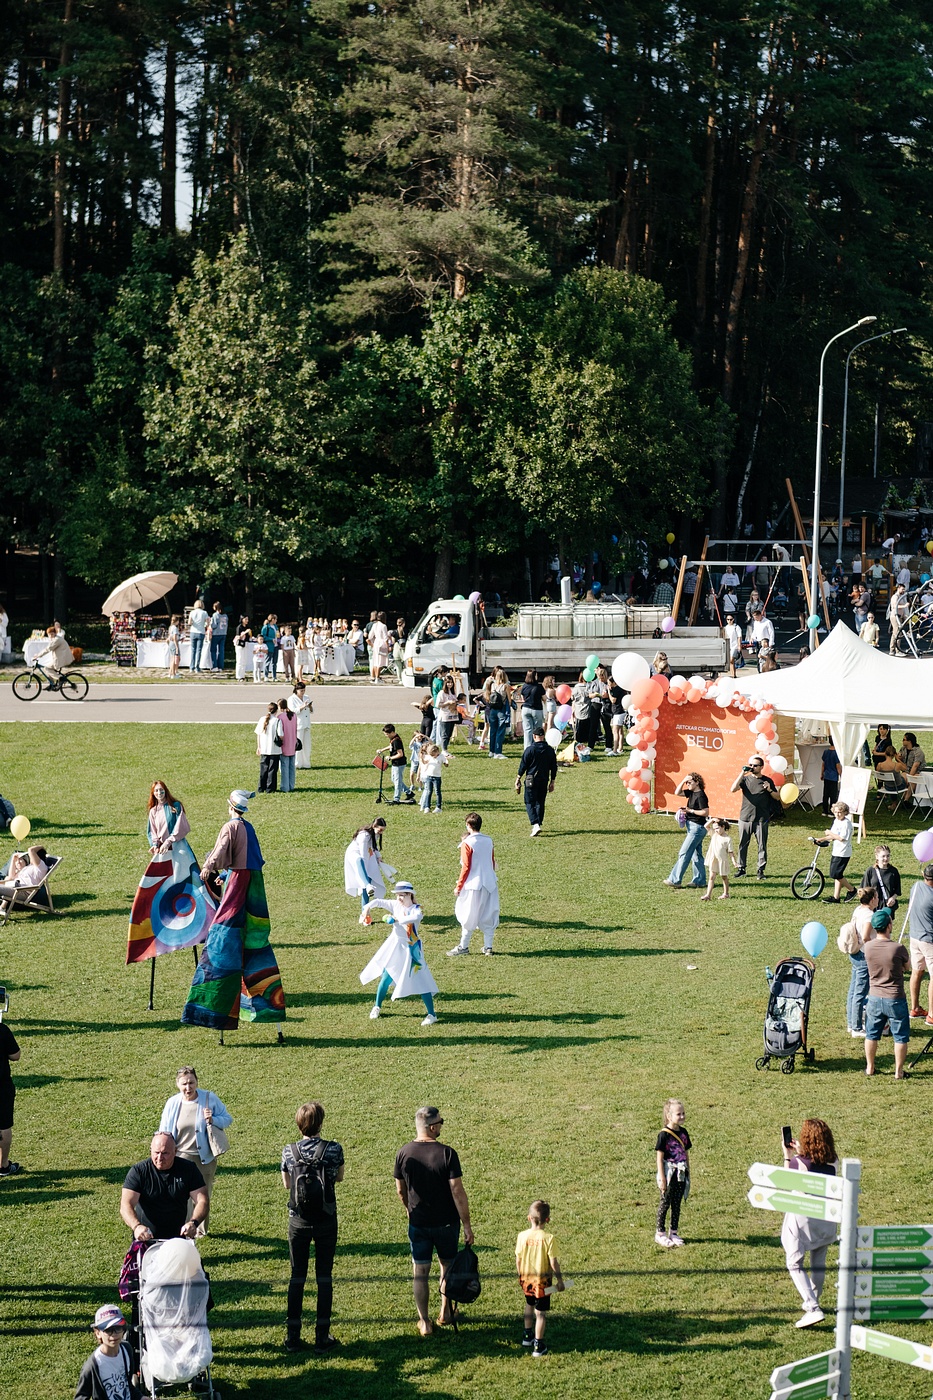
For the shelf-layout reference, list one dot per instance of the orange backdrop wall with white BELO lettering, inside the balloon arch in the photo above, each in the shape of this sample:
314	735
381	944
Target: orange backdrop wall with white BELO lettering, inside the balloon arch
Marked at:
704	738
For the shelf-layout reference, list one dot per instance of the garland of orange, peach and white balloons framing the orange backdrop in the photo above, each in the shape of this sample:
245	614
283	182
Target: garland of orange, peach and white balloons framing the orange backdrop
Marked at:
644	705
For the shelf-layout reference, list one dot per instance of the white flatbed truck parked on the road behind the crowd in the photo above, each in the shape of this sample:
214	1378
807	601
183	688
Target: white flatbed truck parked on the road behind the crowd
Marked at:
553	639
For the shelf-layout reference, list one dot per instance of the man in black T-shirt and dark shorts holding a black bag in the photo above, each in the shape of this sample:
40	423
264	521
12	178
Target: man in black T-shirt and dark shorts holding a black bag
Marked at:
428	1179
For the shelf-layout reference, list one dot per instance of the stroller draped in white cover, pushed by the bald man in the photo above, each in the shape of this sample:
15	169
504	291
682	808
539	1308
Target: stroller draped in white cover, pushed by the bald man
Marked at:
174	1342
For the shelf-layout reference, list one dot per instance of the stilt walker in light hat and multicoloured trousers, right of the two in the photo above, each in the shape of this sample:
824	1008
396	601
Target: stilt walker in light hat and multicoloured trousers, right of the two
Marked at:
237	975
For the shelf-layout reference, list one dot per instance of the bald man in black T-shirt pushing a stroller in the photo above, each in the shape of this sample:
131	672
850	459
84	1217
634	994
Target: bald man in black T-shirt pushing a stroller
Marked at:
158	1192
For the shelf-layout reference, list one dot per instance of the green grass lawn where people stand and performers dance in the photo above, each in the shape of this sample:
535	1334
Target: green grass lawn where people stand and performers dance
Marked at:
550	1065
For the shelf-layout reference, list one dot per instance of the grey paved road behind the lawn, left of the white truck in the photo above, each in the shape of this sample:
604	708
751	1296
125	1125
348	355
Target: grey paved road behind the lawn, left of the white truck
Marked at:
191	703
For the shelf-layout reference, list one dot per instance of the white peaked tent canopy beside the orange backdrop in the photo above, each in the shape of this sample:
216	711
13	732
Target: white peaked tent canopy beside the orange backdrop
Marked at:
852	687
